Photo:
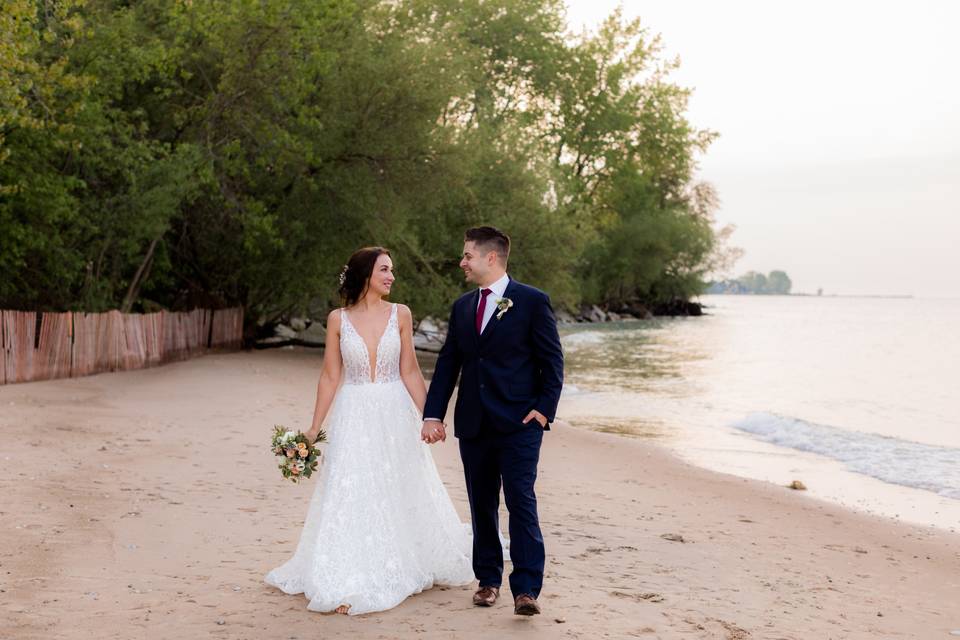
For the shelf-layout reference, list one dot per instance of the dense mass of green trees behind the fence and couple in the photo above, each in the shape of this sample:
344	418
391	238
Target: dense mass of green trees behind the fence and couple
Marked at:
171	153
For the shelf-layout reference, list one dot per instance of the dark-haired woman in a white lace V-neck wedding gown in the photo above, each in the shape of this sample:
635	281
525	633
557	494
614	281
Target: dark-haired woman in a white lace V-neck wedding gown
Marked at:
380	525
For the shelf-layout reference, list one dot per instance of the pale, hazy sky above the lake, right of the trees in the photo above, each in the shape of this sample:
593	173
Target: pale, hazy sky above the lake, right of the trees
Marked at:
839	155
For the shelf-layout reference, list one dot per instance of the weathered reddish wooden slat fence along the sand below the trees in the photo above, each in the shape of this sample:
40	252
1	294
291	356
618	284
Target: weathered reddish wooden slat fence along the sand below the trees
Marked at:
74	344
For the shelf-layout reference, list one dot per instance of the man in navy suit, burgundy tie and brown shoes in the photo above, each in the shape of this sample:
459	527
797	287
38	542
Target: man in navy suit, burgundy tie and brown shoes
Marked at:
503	344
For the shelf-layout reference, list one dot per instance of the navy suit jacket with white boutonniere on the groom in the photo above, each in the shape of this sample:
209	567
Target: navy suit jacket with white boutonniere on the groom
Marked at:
514	366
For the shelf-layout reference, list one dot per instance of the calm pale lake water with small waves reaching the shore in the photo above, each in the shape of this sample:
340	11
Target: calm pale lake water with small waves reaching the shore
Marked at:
855	397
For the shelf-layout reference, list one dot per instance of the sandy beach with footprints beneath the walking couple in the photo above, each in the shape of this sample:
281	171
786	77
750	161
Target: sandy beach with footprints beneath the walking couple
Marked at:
164	510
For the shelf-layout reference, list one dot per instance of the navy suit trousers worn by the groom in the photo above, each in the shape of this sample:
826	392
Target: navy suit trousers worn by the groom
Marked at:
511	458
